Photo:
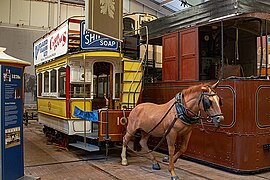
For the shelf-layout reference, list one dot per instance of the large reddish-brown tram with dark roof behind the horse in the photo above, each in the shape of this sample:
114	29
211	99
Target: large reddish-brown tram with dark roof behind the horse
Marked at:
225	41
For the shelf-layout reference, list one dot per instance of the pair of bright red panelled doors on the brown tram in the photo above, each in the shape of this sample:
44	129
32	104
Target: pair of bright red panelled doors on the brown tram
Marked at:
181	56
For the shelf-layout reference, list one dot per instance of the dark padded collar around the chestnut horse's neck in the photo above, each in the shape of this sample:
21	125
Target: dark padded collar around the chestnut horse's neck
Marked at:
182	111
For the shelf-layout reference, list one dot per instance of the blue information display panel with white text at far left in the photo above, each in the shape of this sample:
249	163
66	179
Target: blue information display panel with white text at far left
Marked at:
12	164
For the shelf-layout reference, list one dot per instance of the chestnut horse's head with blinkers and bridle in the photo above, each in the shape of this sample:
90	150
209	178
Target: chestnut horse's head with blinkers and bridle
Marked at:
211	103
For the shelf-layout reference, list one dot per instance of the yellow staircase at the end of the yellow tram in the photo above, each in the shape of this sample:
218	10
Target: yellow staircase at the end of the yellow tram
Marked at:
132	83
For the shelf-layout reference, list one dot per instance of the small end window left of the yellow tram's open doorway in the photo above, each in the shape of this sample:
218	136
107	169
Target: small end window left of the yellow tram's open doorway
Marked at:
77	90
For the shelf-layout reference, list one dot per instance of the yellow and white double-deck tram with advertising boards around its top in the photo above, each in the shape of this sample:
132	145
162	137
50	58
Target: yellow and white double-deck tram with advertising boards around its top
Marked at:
85	80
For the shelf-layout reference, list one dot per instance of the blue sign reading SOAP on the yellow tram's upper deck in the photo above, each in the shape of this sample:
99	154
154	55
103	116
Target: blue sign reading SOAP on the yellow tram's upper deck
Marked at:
90	40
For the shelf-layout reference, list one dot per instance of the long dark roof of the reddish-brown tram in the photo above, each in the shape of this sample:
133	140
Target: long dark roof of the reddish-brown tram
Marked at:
206	13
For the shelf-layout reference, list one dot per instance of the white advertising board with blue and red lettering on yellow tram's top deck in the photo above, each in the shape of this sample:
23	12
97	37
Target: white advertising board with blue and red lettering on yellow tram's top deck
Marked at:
51	46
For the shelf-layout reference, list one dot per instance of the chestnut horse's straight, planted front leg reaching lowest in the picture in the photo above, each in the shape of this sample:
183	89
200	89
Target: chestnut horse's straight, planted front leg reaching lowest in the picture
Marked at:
171	138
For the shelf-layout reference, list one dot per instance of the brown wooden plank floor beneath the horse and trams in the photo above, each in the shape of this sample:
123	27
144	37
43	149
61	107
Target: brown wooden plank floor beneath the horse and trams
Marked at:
49	162
